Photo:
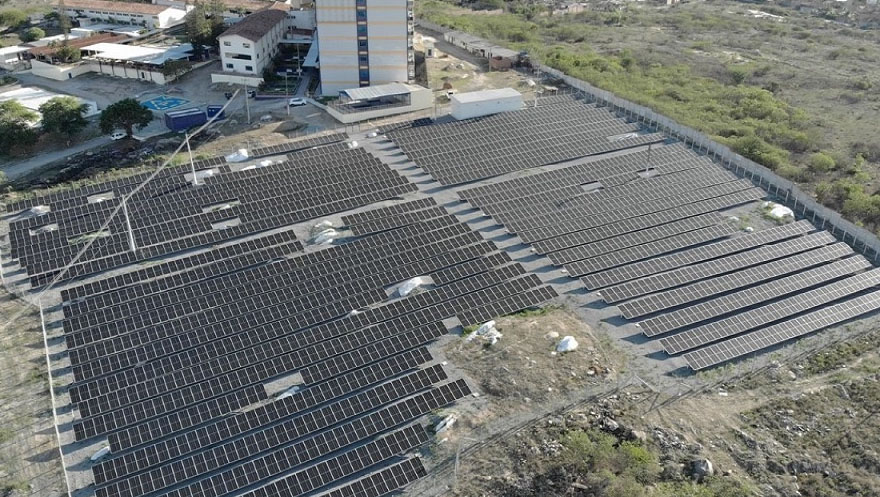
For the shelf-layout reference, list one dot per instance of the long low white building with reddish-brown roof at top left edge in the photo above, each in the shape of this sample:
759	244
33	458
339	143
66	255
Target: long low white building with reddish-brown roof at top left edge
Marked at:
141	14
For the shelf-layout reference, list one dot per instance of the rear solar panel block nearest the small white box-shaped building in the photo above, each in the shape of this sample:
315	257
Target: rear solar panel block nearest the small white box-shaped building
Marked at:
460	152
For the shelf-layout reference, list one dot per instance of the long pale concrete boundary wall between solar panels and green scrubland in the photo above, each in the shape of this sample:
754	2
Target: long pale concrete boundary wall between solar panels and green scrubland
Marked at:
782	190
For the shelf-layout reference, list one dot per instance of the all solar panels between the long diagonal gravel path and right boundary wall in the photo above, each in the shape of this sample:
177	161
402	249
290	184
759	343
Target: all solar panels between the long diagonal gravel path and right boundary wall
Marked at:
645	227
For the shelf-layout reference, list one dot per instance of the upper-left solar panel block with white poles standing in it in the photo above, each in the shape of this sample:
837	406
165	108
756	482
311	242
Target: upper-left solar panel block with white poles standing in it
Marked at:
169	214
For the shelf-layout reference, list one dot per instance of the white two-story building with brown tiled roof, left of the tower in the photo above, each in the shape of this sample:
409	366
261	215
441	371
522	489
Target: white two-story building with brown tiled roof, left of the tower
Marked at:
247	47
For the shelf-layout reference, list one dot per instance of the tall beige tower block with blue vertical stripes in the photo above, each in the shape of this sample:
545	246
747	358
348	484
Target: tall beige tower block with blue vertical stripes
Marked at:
364	43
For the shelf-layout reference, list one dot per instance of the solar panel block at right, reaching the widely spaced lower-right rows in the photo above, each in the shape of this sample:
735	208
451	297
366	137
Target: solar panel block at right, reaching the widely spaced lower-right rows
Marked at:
658	247
